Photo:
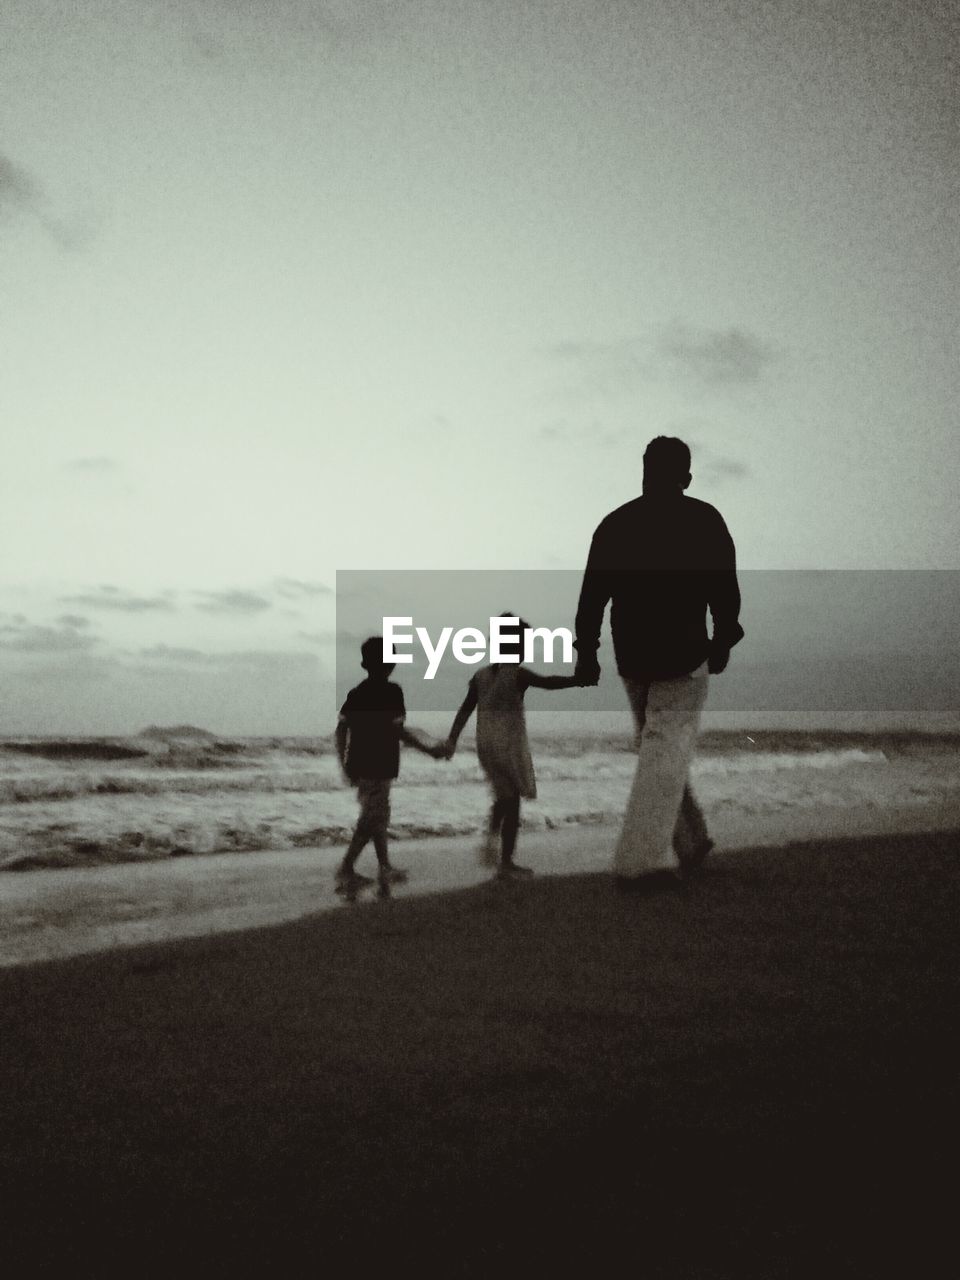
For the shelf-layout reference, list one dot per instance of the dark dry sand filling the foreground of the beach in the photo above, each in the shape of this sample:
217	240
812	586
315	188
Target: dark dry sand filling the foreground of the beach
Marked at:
757	1080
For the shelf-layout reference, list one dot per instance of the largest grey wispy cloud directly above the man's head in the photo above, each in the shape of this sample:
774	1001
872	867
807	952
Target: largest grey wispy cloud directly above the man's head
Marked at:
689	355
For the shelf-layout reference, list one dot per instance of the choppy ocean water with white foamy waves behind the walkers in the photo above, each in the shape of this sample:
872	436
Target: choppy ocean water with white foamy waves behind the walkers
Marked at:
182	792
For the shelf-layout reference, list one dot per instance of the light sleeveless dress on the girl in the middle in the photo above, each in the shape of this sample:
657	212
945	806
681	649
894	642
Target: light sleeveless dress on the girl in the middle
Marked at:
502	746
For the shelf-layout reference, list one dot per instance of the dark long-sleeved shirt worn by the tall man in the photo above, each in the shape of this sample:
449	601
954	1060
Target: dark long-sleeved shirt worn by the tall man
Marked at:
664	563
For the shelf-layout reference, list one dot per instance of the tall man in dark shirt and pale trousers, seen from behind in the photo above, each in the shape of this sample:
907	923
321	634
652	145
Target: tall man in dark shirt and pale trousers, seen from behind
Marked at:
664	561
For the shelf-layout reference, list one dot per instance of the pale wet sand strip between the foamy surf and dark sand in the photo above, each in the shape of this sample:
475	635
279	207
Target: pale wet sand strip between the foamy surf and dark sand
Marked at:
61	913
